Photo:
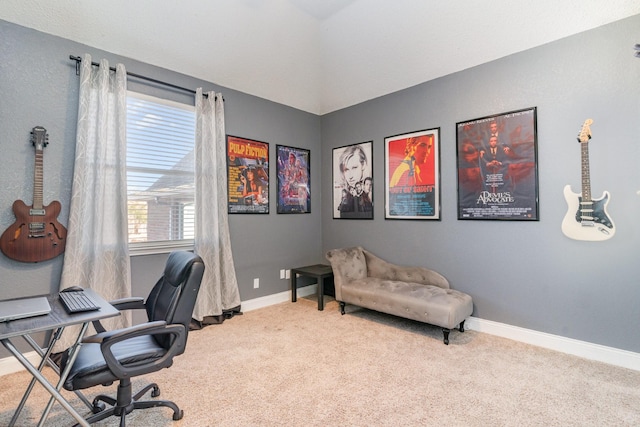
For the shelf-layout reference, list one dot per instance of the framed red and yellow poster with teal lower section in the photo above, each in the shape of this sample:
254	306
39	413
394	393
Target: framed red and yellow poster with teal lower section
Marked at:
412	175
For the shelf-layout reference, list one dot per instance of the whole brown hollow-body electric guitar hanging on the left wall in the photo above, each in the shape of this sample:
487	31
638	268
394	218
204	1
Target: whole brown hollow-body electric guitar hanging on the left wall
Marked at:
36	235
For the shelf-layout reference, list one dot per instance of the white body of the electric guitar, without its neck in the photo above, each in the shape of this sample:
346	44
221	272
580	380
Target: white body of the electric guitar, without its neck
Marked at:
590	222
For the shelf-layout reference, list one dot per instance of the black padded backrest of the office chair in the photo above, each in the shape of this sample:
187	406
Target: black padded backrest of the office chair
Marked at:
173	297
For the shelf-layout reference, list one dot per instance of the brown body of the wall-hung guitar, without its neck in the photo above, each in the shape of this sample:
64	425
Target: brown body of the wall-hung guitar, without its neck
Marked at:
34	238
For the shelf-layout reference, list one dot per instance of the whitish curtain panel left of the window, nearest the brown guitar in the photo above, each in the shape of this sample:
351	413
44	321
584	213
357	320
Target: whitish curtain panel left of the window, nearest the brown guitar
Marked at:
97	253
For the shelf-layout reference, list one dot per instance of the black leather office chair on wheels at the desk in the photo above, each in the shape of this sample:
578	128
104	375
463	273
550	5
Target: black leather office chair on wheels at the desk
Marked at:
122	354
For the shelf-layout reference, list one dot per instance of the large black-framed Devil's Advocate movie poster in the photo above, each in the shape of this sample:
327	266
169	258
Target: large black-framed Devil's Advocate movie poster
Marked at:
497	160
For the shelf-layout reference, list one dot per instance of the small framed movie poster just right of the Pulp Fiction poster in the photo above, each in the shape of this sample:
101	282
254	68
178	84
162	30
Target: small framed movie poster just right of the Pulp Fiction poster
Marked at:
294	180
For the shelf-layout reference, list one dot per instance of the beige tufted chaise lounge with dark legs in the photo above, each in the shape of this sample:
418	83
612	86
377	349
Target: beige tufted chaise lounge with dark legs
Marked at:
416	293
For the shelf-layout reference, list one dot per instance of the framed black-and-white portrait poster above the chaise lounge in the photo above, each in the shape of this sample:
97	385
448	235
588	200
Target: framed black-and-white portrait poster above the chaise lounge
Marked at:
353	181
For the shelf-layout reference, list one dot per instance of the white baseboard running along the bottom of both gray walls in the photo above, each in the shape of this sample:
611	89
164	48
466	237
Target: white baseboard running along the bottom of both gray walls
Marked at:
600	353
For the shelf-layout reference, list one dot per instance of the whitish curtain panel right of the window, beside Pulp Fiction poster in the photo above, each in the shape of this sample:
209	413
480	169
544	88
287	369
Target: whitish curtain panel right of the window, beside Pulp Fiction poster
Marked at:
219	288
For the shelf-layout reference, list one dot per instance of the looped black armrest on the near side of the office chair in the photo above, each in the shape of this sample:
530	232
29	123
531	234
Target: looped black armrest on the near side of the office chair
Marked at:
109	338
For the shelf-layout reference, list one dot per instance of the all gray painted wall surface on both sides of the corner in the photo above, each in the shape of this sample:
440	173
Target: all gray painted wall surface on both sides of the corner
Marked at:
526	274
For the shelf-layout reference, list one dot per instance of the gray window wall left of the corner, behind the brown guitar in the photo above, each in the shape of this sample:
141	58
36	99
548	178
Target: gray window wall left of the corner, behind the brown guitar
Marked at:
38	86
